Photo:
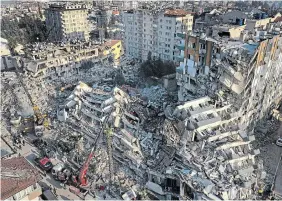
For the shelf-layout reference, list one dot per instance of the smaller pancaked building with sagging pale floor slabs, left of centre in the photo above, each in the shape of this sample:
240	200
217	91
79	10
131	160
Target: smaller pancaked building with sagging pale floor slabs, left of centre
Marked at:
93	105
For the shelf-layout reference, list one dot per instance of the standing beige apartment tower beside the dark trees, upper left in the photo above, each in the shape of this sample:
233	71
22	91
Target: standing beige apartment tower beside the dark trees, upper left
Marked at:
67	22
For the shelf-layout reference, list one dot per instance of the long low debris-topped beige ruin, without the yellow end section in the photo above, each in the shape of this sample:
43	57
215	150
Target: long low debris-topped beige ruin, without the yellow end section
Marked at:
54	60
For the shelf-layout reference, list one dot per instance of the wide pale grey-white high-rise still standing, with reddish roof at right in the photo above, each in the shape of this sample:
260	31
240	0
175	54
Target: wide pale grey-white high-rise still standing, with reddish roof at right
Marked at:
156	32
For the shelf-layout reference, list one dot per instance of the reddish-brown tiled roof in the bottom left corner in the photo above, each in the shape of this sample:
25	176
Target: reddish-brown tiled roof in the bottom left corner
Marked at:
16	175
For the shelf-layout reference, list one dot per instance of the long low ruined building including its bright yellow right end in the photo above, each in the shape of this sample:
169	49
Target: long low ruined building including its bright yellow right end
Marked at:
65	60
